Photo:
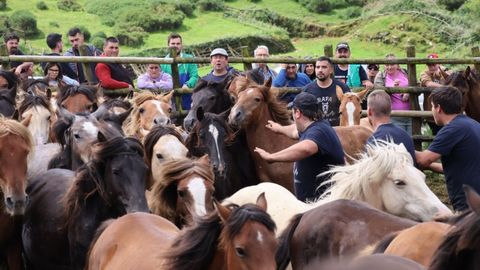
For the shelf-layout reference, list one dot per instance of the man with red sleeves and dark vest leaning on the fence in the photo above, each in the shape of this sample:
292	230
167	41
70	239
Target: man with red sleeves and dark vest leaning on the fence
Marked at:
112	75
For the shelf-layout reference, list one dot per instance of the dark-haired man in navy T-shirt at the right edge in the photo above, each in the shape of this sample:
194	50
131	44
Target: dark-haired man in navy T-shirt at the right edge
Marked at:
457	144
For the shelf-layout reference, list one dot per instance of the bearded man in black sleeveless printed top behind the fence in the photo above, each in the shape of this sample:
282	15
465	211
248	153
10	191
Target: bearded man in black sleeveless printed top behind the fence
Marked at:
327	90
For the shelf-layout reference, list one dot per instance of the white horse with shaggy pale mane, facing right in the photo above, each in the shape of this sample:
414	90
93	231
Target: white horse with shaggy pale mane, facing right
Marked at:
384	177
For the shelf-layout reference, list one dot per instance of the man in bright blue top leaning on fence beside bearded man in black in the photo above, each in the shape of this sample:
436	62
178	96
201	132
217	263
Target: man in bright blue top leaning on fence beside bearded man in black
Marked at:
288	77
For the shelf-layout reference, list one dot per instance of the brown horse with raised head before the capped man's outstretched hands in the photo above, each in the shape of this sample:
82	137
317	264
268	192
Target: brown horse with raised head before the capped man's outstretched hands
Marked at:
254	108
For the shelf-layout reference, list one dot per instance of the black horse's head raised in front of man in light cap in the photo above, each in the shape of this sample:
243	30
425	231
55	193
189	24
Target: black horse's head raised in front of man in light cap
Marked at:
212	96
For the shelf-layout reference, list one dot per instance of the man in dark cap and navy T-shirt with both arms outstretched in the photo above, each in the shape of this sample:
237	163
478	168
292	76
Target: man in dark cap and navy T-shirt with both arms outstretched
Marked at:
318	147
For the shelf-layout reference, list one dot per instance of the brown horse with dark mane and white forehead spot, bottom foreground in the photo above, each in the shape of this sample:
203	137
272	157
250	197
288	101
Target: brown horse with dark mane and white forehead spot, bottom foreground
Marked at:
231	238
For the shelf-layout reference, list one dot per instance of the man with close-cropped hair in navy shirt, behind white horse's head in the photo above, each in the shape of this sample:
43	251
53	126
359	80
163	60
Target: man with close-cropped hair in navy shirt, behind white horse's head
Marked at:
379	108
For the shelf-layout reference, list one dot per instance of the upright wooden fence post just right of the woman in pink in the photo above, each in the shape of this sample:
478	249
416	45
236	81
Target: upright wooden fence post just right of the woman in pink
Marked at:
414	105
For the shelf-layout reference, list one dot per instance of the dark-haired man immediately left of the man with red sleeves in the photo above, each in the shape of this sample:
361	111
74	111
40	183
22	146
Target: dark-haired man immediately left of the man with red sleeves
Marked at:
76	38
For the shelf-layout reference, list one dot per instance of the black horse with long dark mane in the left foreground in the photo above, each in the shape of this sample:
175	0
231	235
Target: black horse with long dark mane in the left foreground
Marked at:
64	213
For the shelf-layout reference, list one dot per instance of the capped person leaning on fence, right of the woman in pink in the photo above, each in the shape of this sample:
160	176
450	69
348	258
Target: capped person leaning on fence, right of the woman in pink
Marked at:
434	76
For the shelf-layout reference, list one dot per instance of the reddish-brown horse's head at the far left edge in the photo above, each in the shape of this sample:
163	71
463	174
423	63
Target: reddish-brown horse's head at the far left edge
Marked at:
15	145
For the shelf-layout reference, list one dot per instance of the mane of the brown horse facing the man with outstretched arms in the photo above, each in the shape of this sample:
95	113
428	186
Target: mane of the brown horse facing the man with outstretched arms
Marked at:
277	108
